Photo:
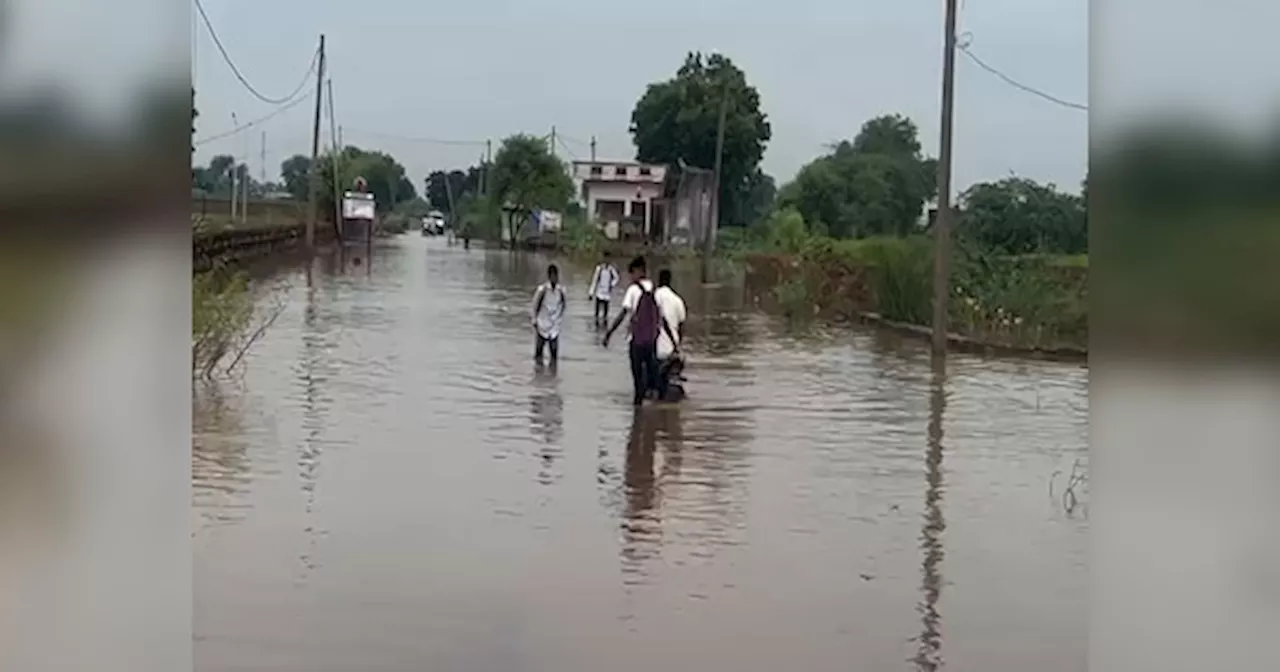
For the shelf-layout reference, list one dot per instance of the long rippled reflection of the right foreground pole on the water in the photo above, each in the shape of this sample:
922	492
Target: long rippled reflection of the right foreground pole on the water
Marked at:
929	657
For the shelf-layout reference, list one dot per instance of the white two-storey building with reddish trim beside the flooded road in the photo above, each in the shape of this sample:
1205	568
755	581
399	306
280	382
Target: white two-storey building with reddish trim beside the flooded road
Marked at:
620	195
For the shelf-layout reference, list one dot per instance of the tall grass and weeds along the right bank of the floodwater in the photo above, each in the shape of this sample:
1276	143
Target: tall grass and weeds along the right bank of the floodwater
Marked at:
1036	301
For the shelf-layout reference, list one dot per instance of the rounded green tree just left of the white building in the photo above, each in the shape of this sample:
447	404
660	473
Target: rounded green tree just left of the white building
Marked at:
525	177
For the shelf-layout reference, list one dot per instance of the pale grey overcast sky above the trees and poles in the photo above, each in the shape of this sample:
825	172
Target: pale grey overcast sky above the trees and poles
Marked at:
478	70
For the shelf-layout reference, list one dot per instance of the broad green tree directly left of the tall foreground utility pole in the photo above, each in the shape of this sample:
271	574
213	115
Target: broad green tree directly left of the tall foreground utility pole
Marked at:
876	185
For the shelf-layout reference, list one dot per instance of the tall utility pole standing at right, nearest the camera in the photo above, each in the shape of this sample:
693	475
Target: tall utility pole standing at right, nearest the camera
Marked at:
943	225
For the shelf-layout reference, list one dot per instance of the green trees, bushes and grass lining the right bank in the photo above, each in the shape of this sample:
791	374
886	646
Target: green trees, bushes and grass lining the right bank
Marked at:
849	237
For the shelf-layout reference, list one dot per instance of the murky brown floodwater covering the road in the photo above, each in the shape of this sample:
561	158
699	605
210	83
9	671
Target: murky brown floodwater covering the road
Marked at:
394	487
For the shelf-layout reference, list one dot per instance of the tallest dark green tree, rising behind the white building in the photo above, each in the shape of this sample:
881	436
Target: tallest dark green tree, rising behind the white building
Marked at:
676	122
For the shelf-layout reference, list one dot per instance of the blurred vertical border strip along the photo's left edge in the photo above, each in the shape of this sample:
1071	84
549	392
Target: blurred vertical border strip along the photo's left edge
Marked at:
95	420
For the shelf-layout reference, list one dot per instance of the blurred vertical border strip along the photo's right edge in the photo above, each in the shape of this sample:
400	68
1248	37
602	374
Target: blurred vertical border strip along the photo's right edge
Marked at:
1185	211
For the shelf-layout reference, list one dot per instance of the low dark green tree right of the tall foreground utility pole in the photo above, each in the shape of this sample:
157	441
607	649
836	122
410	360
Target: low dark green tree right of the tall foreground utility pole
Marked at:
1020	217
